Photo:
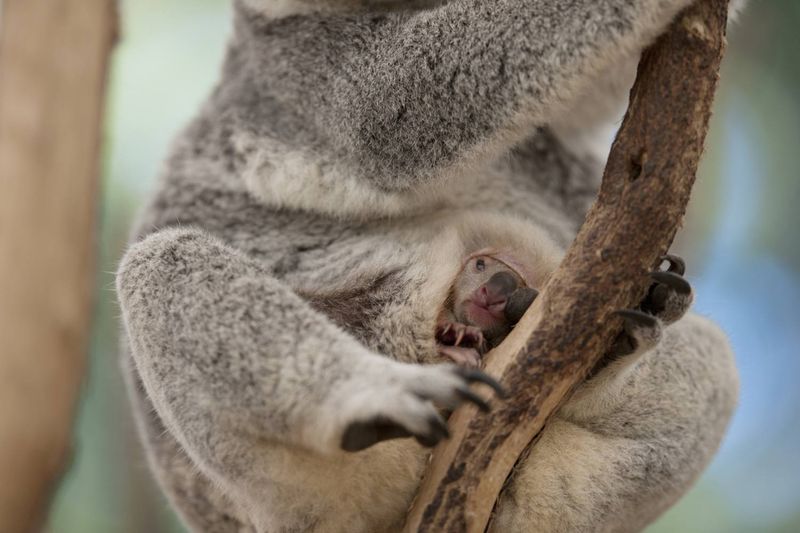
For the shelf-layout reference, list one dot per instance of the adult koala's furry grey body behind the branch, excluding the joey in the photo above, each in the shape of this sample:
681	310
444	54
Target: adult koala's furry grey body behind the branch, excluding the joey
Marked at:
285	278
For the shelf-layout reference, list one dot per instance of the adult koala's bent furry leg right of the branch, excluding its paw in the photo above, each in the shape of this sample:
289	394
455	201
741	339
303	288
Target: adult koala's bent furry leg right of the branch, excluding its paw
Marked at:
613	462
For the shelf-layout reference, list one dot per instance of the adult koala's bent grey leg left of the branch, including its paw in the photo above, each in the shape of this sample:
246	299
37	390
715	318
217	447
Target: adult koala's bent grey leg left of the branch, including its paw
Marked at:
232	358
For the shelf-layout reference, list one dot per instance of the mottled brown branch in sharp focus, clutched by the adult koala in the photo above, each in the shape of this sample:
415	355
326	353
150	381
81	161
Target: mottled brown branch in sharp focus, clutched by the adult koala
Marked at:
642	201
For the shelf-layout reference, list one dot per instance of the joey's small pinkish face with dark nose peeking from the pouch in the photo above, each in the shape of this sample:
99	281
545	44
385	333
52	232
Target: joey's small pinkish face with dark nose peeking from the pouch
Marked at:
481	293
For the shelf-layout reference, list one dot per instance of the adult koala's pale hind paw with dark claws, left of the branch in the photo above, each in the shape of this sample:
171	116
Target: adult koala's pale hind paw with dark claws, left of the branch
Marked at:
399	403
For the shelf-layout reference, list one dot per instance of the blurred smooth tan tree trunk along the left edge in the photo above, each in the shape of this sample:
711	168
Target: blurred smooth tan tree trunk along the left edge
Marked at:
53	60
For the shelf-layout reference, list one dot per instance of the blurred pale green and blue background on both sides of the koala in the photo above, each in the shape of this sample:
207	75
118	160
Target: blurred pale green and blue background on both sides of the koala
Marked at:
740	238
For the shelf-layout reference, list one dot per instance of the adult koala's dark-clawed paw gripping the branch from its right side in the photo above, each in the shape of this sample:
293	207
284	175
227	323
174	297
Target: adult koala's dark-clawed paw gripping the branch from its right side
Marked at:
667	300
